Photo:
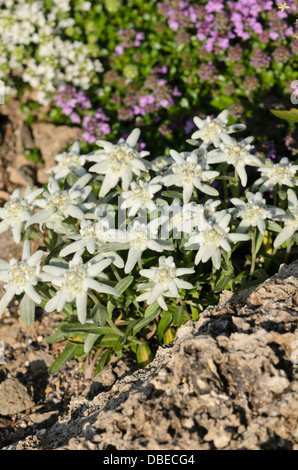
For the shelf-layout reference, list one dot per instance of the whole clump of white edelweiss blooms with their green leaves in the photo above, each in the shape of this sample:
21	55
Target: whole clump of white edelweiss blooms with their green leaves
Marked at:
117	221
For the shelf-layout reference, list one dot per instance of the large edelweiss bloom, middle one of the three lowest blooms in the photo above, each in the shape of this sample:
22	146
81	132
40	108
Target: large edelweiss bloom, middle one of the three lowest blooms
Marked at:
74	282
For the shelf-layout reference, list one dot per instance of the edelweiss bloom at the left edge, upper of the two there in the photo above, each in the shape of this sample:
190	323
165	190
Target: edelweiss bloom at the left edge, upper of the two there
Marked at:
17	211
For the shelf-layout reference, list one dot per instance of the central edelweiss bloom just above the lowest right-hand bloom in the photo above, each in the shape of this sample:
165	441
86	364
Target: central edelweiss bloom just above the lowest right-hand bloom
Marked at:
141	236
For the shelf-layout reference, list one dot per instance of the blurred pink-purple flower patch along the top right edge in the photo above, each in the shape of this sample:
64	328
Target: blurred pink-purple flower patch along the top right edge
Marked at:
219	22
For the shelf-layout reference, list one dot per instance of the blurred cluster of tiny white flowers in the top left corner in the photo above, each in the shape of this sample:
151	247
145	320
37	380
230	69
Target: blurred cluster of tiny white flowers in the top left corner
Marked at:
34	49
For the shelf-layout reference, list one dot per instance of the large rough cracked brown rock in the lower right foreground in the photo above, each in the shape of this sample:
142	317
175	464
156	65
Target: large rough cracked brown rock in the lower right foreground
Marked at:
229	381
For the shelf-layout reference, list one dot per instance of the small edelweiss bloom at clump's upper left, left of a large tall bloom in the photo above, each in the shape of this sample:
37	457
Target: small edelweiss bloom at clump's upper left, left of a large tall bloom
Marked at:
69	162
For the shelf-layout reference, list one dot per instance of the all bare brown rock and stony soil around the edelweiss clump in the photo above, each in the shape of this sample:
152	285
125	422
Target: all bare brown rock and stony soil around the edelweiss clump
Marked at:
229	381
